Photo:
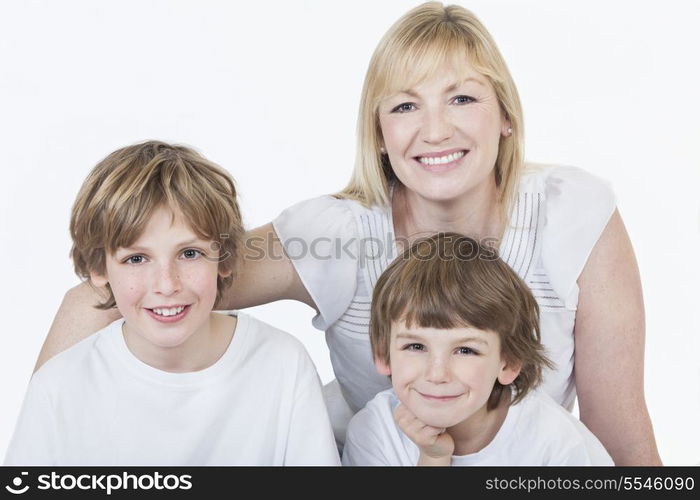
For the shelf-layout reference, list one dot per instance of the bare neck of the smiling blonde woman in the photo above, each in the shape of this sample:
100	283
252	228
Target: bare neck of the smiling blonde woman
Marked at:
475	214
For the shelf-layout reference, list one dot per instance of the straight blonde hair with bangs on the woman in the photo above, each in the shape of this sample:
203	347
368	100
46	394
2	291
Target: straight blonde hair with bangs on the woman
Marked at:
418	45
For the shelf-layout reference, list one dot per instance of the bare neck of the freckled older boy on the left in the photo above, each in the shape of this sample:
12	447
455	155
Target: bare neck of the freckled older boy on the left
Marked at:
201	350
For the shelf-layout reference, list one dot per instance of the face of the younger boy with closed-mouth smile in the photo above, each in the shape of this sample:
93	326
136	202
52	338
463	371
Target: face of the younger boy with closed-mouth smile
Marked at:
445	376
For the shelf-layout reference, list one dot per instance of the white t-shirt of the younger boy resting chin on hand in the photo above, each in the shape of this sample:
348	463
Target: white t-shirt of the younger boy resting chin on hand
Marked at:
536	431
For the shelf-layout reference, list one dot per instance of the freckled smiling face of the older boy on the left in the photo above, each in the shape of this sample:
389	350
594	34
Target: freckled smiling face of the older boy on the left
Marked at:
164	284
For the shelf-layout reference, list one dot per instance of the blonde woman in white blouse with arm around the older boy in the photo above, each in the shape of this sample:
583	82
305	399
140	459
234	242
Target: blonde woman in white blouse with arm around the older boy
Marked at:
440	148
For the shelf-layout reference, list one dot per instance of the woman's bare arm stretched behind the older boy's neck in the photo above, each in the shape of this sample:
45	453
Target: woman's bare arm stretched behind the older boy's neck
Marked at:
265	274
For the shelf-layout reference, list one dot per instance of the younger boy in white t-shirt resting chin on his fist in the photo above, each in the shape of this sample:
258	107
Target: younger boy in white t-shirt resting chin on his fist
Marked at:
458	333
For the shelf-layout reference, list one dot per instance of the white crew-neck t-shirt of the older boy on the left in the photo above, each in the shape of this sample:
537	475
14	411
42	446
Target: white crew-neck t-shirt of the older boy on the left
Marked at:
97	404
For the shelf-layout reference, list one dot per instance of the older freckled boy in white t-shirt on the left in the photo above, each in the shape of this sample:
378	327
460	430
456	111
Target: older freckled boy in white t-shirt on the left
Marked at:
172	383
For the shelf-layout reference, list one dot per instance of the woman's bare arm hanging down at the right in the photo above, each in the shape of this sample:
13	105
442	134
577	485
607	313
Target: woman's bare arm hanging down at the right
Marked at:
609	354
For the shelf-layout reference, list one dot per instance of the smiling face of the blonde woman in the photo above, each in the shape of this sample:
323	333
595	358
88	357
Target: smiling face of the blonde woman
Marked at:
442	136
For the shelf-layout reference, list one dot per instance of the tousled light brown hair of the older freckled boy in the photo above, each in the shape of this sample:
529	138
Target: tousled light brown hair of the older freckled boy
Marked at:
120	194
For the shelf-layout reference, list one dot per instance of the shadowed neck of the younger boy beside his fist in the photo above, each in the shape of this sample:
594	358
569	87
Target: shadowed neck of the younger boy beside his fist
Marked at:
476	432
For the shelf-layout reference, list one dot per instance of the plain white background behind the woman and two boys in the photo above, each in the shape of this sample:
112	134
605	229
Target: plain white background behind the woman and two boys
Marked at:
270	90
